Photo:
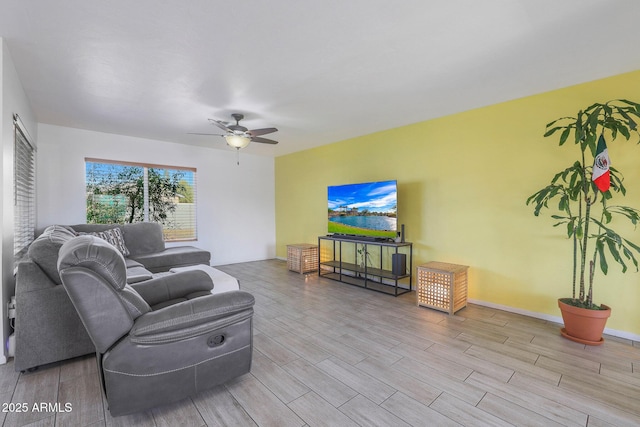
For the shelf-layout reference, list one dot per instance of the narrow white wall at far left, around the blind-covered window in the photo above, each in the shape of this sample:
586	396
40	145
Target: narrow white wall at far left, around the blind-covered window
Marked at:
14	101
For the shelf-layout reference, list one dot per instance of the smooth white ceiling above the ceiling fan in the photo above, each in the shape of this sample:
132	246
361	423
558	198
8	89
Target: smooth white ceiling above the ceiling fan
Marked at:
319	71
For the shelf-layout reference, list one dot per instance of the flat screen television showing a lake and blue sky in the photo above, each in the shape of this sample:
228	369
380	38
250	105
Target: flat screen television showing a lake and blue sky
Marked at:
364	209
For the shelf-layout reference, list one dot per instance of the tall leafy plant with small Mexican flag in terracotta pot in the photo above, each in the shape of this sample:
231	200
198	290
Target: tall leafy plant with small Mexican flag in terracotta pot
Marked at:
583	200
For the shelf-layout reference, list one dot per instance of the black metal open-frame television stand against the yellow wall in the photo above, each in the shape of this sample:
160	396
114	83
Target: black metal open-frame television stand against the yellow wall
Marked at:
381	266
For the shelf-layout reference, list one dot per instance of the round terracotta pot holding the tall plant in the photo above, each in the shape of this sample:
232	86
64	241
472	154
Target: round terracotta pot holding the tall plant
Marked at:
583	325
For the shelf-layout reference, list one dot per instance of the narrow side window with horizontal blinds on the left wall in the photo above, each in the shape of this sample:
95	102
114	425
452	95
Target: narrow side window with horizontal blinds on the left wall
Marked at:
24	190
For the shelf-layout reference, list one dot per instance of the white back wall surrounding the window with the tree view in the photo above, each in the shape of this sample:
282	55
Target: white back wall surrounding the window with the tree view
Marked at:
236	203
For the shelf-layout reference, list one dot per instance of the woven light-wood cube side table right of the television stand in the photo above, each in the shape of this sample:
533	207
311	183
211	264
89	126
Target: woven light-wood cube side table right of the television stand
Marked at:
442	286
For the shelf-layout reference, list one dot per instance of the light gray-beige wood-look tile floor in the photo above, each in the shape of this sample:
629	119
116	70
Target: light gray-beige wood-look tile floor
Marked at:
330	354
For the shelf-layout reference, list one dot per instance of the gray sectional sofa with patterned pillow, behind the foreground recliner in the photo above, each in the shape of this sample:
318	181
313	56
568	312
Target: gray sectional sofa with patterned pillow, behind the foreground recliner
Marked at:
48	328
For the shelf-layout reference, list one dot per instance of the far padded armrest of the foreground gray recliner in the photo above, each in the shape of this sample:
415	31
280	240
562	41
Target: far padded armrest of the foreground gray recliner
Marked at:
173	286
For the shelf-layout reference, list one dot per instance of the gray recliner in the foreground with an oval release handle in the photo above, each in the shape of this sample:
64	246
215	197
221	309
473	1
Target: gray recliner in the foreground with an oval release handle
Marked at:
150	353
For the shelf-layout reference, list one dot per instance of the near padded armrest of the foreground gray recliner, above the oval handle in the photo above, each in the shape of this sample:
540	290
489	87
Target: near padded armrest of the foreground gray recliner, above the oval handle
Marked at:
192	318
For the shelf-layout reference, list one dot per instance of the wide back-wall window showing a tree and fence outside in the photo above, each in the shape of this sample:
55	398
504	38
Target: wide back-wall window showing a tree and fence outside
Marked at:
119	193
